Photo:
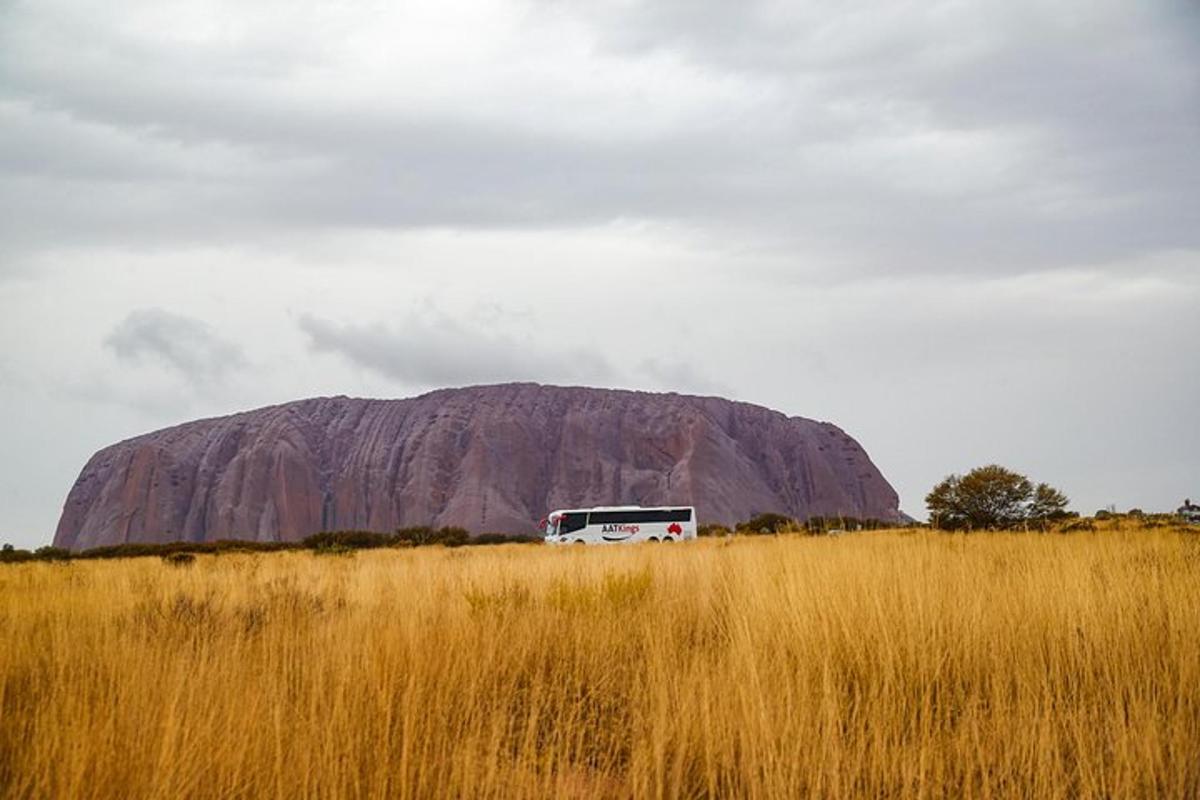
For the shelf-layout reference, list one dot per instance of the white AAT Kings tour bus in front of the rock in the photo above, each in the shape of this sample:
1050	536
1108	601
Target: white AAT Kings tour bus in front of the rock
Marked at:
610	525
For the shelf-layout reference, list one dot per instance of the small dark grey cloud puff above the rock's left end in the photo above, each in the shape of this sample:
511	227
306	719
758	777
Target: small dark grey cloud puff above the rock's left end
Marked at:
182	344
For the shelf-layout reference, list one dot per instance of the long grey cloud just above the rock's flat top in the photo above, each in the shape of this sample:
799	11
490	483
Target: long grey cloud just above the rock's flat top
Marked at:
441	352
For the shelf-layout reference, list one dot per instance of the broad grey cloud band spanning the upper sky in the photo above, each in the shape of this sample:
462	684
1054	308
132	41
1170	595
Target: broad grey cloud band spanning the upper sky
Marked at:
989	137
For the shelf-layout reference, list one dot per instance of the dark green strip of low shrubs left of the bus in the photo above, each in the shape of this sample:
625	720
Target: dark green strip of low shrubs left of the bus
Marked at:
327	543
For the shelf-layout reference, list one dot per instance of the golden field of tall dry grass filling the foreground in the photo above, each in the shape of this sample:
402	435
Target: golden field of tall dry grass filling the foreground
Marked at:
871	665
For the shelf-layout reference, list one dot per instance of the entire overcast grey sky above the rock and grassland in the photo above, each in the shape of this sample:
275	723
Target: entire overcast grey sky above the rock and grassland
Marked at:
965	232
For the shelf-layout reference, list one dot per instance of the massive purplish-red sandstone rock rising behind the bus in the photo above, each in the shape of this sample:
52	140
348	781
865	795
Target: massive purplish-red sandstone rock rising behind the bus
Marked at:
488	459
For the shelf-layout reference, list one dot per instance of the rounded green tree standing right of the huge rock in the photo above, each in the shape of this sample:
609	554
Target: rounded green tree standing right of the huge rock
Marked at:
993	497
